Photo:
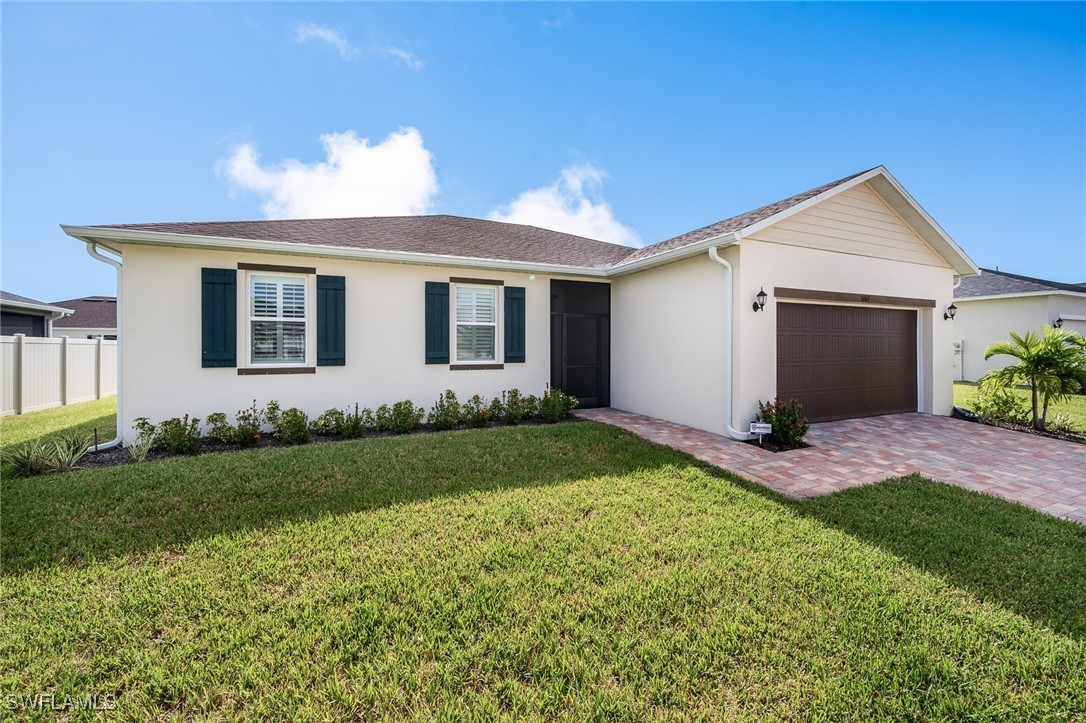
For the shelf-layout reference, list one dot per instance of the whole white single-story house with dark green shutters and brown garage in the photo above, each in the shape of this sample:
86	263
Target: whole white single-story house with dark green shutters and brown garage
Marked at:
325	313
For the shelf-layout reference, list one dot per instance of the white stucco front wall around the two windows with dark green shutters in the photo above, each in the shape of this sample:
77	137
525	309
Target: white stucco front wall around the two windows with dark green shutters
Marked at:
161	346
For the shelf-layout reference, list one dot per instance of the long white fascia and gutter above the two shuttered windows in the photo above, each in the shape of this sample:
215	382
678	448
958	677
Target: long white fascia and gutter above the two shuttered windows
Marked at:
119	237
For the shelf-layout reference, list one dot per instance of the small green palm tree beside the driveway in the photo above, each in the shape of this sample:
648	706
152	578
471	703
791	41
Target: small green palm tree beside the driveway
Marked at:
1052	364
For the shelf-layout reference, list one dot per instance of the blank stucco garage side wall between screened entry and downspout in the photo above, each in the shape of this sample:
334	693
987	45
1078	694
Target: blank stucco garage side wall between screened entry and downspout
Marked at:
668	345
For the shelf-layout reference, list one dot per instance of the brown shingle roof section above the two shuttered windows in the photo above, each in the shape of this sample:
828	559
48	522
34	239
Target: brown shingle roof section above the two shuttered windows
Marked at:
451	236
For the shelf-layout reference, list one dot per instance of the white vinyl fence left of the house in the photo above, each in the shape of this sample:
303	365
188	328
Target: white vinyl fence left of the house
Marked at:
49	373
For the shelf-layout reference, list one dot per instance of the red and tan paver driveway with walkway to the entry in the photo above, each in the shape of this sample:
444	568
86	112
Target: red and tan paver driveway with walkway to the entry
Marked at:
1043	474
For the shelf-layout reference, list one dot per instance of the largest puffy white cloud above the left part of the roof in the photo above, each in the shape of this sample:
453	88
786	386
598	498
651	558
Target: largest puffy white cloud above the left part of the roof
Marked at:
395	177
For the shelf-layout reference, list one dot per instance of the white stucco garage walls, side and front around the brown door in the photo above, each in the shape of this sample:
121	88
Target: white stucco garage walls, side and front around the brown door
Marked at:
667	328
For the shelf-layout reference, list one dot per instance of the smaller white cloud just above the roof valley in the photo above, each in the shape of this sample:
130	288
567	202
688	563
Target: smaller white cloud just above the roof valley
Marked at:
572	205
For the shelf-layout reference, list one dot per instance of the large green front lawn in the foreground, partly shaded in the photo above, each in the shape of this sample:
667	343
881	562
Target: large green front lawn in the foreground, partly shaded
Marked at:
564	573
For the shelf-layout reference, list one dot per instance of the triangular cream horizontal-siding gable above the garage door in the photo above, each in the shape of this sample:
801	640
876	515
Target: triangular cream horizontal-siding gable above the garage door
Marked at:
856	222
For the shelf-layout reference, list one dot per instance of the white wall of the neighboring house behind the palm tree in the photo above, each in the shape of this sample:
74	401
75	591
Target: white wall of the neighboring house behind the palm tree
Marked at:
982	322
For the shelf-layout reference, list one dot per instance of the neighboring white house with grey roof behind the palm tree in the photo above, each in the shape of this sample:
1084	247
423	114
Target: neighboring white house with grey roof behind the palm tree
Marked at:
995	303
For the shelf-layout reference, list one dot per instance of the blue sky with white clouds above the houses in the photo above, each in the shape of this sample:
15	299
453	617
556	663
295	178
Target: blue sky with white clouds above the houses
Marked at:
629	122
